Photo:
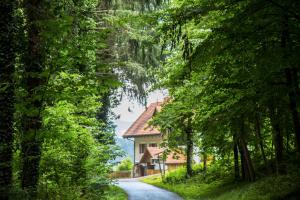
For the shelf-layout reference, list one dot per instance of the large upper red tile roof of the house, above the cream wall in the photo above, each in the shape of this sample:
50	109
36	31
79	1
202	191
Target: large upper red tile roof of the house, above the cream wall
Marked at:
141	127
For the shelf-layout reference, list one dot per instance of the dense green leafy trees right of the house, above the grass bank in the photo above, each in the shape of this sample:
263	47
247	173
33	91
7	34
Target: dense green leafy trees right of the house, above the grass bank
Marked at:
232	71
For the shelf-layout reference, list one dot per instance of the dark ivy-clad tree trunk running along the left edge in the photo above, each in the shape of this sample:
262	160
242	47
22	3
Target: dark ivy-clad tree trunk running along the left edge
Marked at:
7	97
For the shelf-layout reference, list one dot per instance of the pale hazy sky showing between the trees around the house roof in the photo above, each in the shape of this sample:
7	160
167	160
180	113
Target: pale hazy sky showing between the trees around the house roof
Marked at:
128	117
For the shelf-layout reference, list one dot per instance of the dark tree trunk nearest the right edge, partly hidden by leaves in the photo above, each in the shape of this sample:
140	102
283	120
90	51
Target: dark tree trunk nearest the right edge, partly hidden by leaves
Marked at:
291	78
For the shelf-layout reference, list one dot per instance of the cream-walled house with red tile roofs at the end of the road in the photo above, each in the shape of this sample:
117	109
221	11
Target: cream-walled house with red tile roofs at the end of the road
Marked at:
148	155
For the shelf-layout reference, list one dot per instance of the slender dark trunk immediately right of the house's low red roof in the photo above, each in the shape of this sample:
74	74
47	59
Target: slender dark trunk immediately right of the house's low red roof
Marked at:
189	149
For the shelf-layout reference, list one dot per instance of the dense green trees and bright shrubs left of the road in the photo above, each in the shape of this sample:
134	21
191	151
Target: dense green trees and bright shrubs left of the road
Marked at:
56	82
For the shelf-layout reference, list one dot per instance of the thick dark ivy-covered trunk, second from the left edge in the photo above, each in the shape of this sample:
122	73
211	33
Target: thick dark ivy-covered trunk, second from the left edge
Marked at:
33	83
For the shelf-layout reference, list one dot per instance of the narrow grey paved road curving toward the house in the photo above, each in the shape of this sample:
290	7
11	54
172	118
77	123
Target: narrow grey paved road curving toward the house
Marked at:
137	190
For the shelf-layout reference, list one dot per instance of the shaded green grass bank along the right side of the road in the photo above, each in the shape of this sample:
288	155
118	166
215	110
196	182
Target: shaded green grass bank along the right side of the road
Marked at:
272	187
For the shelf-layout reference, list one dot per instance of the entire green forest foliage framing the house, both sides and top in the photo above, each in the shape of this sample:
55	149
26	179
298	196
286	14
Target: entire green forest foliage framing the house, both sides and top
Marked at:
231	69
